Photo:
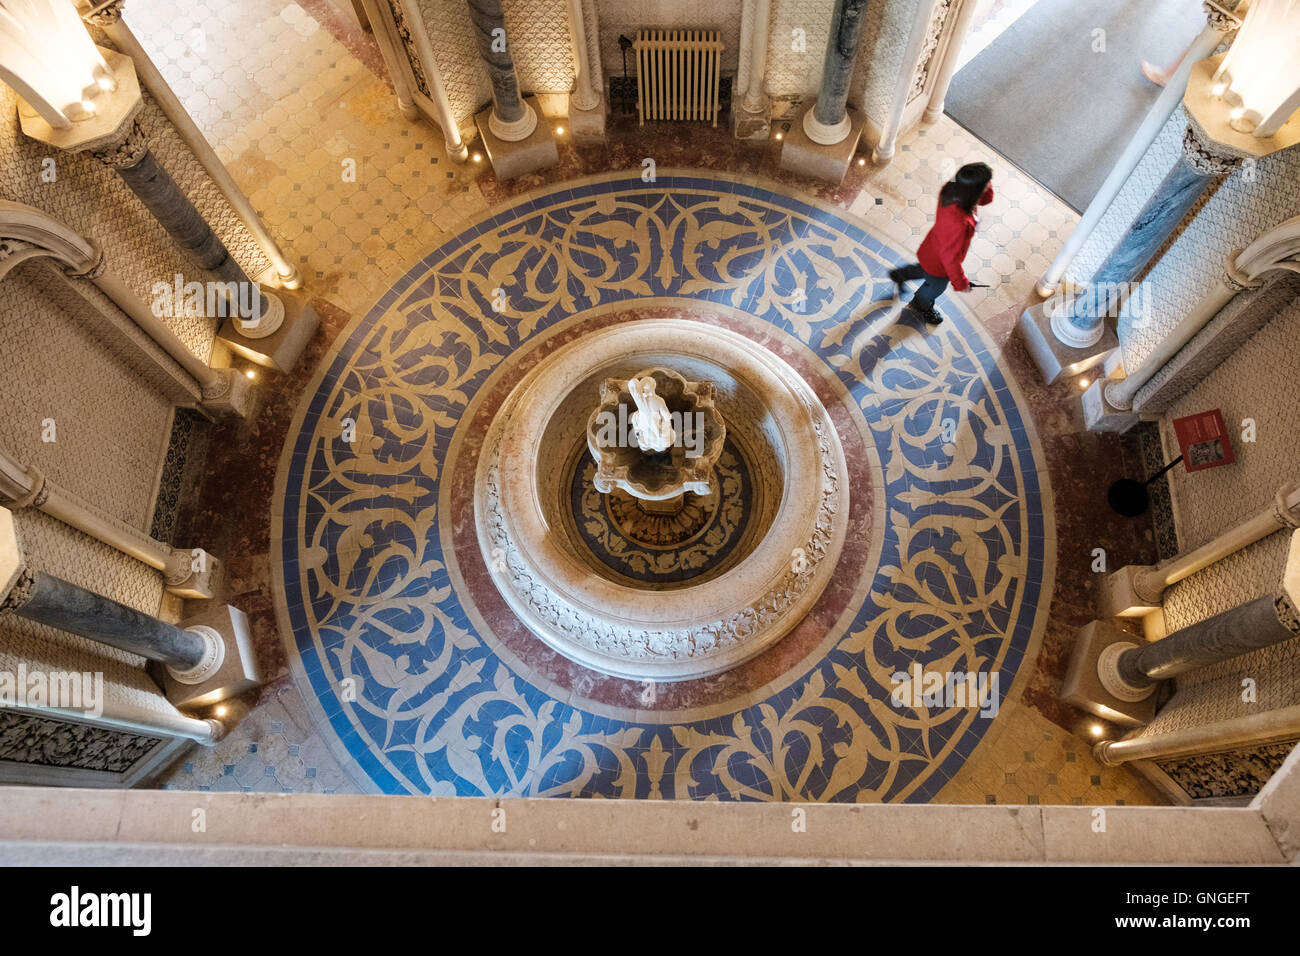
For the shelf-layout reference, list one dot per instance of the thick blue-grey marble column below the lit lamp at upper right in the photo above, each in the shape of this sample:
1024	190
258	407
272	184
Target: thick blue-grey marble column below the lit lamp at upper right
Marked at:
1080	325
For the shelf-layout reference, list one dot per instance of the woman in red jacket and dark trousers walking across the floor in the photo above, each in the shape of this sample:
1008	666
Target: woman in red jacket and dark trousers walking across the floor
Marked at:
942	253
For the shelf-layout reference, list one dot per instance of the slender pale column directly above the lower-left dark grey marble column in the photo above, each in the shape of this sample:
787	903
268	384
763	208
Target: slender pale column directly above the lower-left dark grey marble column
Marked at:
27	487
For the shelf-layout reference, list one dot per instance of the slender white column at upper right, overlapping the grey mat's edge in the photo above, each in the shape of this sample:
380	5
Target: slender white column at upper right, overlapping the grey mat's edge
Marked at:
1165	105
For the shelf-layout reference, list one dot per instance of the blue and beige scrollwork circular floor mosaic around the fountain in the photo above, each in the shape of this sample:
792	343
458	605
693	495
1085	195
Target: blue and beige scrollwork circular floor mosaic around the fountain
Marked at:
405	650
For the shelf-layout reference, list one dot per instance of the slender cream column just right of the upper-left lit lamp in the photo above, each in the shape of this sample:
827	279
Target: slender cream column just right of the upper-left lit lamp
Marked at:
111	20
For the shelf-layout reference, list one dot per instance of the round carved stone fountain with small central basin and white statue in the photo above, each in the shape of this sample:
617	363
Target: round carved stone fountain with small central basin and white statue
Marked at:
662	500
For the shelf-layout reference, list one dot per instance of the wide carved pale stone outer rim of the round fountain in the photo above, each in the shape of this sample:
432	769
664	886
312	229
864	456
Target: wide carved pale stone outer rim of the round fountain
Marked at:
653	635
